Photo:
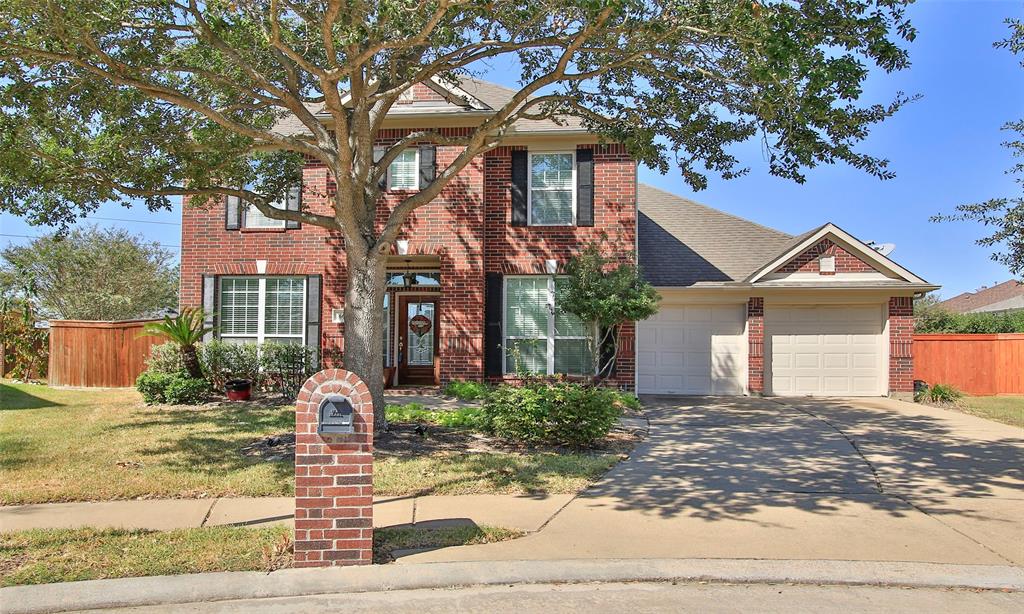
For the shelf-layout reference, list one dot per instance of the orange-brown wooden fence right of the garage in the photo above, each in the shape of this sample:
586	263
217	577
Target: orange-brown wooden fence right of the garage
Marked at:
974	364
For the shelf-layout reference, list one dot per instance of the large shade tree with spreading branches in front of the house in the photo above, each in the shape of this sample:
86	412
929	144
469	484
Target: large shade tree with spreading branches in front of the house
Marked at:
121	100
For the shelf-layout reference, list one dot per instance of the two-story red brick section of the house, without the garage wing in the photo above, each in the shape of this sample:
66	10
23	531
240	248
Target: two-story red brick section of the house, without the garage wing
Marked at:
472	286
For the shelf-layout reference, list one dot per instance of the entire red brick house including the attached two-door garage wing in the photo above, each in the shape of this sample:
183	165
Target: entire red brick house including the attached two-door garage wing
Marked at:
473	282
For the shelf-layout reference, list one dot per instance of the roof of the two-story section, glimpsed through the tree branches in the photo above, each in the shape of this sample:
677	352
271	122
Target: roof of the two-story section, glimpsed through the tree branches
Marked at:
470	98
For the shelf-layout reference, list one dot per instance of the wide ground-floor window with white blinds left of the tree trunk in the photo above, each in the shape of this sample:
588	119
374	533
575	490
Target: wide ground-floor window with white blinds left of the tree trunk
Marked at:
259	310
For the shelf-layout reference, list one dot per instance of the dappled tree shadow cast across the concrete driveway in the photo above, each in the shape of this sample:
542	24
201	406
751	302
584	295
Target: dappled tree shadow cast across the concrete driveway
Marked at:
730	459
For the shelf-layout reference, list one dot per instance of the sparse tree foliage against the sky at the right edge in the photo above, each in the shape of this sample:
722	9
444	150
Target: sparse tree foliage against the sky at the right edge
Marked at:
1004	215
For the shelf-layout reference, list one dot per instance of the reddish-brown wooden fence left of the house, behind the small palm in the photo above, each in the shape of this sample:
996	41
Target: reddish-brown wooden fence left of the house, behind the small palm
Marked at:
99	355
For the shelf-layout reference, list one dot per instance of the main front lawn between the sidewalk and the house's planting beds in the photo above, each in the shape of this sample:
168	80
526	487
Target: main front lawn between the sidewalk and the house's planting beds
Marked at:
70	446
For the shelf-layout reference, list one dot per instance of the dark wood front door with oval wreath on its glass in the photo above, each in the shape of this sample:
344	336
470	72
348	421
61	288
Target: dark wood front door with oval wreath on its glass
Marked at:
417	340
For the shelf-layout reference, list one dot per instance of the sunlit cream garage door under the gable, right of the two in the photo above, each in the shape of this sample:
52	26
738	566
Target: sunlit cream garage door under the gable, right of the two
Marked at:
827	350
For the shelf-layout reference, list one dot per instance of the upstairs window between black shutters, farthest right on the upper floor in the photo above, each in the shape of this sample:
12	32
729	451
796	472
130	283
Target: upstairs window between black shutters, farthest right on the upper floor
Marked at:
552	190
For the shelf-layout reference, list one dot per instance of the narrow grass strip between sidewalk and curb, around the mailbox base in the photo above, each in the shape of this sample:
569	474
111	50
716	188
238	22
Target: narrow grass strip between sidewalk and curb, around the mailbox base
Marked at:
68	555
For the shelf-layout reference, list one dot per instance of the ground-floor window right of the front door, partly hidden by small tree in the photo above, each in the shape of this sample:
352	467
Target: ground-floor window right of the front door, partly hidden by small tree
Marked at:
539	337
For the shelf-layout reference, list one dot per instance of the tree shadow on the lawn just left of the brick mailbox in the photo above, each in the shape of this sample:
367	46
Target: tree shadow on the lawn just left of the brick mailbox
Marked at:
210	438
